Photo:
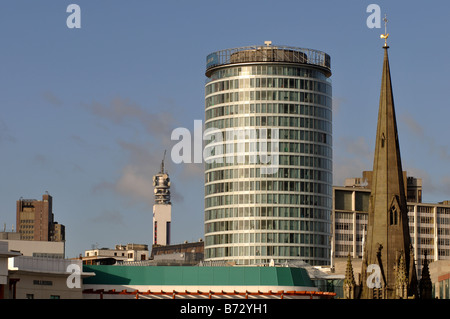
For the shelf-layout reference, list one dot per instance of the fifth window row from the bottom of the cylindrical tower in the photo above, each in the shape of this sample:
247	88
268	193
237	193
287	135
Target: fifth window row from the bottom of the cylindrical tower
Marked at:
268	198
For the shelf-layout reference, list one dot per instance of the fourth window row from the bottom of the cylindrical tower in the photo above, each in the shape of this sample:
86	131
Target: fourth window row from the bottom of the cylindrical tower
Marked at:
267	211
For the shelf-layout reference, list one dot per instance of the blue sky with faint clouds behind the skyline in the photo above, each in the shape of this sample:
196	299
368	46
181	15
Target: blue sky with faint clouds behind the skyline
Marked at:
87	113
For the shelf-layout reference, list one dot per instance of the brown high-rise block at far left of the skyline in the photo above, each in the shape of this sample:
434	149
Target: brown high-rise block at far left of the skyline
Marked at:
35	220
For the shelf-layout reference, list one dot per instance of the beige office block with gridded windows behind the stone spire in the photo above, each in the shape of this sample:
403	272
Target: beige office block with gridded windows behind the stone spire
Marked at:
429	225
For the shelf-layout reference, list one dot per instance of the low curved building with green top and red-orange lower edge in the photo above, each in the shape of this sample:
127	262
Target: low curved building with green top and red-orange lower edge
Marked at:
170	282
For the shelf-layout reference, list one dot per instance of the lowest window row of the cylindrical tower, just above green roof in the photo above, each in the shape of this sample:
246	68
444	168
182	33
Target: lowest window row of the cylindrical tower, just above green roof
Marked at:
270	251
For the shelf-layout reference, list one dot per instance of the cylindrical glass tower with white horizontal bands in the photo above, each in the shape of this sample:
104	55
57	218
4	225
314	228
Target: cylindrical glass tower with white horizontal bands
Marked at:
268	170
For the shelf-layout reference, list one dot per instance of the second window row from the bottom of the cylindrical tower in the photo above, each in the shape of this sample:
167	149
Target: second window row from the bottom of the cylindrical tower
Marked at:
265	237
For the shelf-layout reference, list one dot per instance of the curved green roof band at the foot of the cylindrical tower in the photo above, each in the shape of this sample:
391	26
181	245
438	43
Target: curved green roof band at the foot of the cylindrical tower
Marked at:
197	276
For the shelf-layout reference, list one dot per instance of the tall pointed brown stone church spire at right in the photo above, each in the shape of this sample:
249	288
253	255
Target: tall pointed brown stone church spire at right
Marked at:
387	228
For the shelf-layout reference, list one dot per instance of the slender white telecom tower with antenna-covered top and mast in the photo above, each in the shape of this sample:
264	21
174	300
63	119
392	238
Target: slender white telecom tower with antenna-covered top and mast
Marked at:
162	210
